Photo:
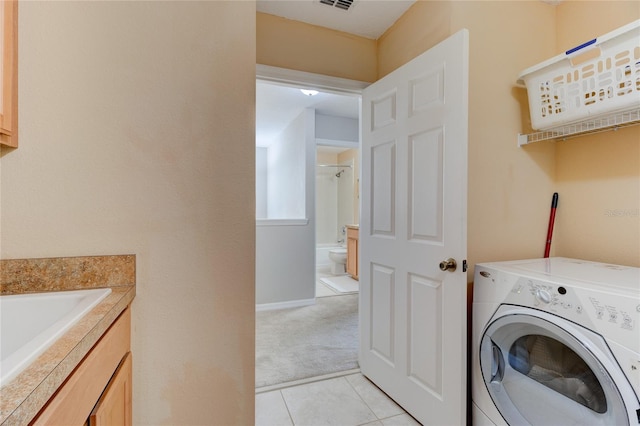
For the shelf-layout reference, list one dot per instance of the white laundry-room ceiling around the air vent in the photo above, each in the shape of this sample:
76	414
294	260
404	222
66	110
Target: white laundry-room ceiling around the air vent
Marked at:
366	18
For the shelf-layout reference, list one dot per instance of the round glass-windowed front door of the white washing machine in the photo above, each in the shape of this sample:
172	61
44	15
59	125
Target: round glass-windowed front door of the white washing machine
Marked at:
543	370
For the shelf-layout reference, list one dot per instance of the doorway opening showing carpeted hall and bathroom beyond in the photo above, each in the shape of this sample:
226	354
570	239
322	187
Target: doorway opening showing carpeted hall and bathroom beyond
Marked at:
304	329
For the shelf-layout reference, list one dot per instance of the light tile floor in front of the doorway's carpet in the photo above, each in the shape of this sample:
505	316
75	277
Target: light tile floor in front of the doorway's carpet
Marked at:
342	401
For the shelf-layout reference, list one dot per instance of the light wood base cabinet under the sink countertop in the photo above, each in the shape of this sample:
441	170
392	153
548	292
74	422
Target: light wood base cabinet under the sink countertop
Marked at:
98	392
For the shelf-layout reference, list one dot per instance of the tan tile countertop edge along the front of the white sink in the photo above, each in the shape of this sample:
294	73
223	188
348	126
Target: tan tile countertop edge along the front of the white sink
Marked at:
24	396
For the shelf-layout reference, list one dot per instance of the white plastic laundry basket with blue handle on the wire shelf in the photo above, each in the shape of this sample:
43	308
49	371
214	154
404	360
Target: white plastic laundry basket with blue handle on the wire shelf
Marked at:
598	78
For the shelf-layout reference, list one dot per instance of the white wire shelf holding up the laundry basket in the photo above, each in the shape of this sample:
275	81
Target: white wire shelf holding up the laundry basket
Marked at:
594	125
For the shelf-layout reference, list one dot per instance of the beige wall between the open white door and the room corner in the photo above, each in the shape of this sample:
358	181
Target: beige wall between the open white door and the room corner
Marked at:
510	188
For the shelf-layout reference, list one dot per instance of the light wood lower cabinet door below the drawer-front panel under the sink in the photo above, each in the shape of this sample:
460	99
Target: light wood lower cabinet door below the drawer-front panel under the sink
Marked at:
114	406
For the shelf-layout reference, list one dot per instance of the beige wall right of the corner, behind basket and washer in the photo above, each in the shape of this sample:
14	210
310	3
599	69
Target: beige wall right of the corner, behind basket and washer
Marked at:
598	176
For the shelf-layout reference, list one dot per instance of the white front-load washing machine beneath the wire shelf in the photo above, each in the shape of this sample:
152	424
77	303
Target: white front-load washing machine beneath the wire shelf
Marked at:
556	341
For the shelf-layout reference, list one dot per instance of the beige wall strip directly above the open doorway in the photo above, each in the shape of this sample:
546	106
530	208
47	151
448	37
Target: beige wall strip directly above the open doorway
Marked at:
294	45
